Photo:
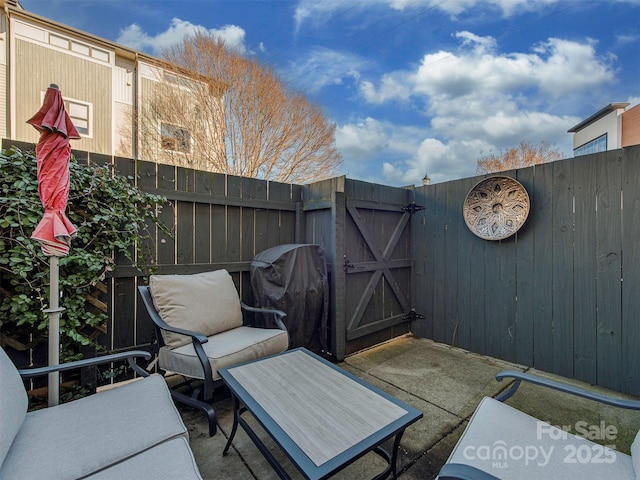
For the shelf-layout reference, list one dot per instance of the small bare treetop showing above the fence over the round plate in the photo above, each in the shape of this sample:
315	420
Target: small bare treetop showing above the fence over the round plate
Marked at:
525	155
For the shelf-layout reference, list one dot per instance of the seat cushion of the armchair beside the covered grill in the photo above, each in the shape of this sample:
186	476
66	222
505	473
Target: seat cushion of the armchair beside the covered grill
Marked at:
224	350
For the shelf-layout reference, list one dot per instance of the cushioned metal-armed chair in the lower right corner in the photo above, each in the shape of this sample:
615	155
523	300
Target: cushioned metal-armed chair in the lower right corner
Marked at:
501	442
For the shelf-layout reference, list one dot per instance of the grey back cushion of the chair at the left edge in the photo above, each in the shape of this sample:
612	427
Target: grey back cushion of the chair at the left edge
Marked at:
13	403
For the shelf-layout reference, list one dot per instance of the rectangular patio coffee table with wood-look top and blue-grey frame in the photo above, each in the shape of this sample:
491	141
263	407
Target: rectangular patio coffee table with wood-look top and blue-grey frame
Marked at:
322	417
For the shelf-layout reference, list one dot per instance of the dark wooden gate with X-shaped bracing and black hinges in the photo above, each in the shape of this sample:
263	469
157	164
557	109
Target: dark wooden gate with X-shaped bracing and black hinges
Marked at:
375	251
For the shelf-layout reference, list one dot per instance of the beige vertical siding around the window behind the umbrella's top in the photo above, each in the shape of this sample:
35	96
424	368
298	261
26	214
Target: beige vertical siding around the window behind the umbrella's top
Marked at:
83	80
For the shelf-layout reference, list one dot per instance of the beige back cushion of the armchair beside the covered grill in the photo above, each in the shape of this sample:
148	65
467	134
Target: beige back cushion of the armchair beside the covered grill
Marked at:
206	303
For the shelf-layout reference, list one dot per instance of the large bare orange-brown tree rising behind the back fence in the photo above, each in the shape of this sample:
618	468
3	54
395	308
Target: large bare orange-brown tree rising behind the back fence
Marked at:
220	111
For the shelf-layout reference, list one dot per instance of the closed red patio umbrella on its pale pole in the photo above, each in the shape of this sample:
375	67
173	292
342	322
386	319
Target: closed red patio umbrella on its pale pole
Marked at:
55	231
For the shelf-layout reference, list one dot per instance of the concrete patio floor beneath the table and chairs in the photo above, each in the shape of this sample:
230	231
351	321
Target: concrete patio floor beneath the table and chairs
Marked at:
443	382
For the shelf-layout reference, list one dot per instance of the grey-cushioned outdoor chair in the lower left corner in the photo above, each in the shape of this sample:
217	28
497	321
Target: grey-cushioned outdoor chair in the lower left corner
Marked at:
132	431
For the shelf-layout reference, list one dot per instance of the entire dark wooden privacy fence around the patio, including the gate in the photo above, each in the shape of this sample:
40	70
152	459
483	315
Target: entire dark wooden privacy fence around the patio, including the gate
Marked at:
562	295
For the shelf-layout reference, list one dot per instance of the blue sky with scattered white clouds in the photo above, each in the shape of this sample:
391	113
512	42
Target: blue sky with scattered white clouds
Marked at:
414	87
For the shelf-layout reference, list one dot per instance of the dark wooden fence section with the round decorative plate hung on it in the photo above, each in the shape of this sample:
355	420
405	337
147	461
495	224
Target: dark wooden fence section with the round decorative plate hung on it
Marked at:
563	294
